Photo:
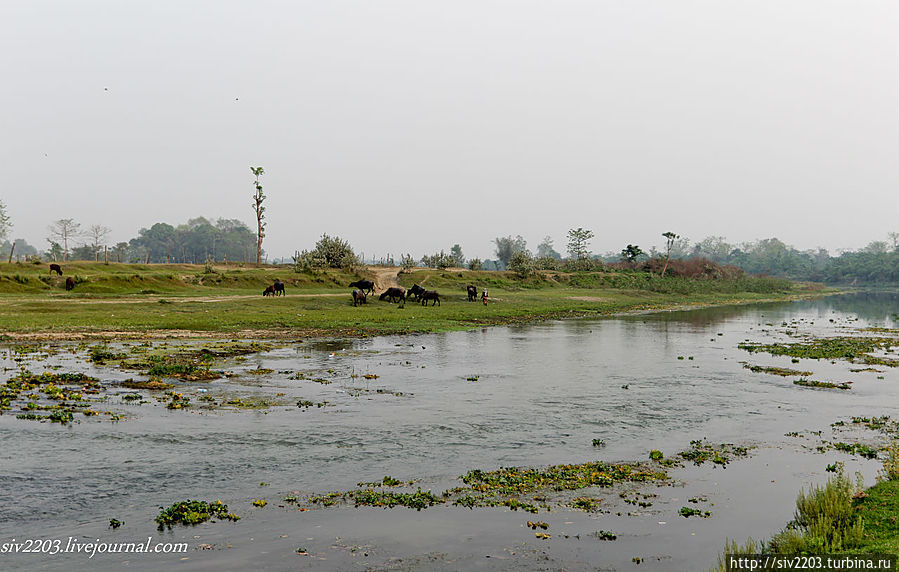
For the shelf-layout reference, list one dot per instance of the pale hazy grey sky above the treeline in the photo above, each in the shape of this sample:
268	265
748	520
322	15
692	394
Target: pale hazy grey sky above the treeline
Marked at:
408	126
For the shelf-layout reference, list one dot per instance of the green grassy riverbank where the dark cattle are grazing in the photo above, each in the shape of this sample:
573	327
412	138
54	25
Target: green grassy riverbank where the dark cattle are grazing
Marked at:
122	300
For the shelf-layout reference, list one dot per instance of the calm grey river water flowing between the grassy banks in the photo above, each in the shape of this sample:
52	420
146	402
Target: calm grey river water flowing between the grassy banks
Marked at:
433	407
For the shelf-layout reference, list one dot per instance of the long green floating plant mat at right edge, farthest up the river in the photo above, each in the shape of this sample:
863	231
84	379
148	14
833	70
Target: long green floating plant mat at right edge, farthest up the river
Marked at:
852	349
